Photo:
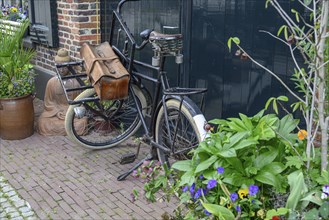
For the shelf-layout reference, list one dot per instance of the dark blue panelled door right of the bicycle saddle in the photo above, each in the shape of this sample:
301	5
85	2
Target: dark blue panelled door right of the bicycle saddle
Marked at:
235	84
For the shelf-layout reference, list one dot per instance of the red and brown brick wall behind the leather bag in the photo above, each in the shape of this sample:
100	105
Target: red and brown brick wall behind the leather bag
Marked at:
78	22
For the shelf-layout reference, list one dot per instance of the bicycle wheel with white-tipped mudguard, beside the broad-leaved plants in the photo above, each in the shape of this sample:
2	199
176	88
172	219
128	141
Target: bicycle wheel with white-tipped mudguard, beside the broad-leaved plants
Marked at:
181	134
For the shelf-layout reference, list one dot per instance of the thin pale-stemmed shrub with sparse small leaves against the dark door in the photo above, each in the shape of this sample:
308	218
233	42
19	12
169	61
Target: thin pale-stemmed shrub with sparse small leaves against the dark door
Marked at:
306	33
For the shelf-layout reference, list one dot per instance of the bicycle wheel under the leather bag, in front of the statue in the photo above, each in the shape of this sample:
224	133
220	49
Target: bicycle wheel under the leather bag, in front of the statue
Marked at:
104	124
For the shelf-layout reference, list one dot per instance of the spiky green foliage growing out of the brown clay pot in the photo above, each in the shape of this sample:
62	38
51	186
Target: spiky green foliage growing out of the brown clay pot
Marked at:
16	74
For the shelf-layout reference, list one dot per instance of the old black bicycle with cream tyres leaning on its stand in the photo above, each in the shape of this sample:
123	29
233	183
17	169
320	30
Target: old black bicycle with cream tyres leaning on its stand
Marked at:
172	123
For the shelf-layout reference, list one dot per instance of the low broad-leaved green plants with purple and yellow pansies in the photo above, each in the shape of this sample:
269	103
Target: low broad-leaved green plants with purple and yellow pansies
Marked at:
251	167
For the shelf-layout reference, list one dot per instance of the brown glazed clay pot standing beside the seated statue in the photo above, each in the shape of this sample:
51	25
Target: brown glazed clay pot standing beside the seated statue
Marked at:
16	117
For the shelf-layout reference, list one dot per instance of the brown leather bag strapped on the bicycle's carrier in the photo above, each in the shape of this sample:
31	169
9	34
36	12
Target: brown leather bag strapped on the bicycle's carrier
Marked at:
105	71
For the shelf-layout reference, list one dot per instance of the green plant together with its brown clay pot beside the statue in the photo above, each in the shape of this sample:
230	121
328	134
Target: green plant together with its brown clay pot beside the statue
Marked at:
16	85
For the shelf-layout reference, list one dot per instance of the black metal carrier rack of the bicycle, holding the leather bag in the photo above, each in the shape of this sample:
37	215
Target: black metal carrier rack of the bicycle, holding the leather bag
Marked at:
71	72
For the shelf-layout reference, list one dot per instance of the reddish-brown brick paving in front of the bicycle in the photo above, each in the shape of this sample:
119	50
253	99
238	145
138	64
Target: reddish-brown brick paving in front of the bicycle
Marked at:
61	180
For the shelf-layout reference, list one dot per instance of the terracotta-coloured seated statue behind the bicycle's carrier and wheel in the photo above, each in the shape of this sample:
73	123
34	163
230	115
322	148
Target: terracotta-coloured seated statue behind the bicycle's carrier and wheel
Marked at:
52	120
